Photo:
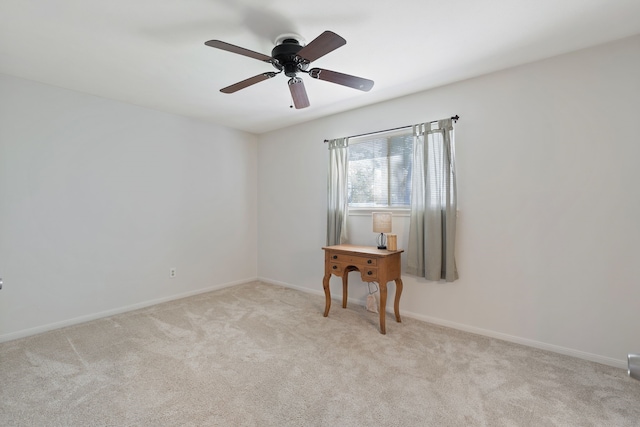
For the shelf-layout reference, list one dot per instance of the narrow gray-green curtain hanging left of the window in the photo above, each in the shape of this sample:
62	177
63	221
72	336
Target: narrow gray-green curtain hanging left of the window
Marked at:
337	198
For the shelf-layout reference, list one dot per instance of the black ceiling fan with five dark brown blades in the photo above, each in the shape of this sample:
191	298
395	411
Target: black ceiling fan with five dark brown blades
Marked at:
291	57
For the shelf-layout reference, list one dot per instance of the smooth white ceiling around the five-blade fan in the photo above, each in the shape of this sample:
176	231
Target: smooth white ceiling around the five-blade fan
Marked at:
151	52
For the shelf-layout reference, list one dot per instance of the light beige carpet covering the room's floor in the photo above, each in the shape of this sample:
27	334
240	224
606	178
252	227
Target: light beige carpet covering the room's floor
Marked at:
263	355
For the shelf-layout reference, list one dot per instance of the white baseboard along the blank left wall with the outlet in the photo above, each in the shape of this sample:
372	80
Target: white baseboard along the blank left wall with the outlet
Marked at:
93	316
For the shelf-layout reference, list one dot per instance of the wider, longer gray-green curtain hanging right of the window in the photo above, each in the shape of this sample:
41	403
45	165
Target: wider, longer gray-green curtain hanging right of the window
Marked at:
432	229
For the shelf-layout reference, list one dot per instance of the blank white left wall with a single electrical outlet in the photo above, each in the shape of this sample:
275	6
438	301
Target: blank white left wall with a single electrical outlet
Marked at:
99	199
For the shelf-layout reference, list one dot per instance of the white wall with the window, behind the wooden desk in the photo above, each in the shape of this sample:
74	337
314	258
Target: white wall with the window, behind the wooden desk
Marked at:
549	203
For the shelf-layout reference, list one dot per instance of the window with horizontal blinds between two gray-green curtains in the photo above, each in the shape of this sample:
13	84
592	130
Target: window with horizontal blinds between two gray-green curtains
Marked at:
380	170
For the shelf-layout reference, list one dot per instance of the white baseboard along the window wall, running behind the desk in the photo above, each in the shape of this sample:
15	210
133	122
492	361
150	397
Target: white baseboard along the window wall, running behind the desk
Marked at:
480	331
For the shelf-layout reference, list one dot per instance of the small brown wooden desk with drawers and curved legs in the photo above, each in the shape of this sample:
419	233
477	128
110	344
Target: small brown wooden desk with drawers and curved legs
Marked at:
374	265
